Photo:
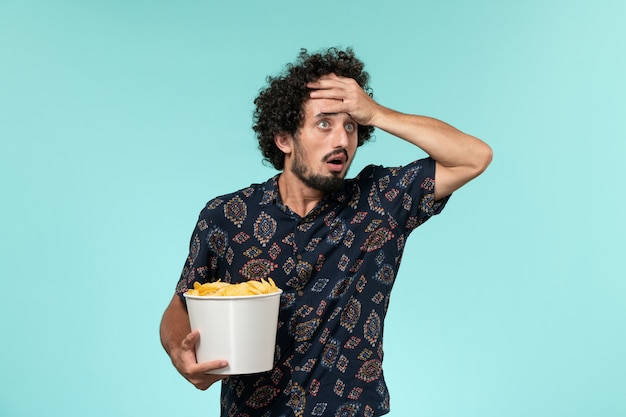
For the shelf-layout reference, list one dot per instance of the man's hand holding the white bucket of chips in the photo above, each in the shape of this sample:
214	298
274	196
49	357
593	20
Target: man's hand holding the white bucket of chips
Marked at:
184	359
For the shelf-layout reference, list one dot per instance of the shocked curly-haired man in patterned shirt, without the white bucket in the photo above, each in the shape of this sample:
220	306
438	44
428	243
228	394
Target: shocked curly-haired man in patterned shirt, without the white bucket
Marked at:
332	244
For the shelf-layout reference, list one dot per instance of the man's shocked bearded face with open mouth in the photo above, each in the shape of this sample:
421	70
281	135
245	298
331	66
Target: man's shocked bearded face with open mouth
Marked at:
323	147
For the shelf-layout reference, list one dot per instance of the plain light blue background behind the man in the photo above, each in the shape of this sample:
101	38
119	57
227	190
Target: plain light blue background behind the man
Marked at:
120	119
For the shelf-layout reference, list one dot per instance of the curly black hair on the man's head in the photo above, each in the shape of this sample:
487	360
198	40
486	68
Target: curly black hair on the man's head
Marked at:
279	106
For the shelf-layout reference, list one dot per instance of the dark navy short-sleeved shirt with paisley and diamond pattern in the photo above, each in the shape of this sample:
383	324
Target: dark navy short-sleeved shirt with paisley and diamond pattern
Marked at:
336	266
